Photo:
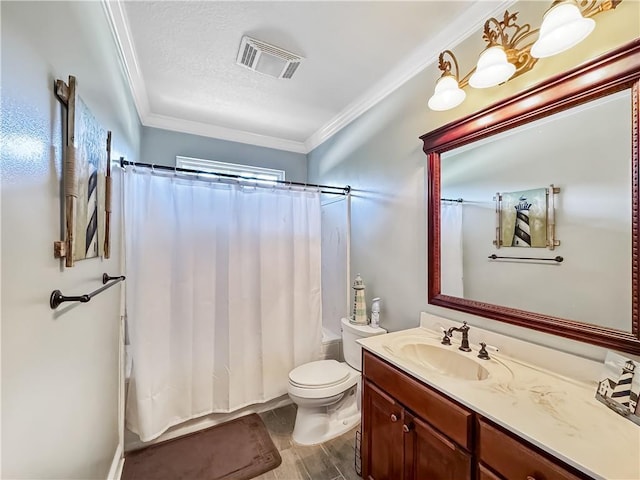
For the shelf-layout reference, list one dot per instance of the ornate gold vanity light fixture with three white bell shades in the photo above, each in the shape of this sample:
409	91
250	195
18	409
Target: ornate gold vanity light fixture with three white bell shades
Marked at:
509	54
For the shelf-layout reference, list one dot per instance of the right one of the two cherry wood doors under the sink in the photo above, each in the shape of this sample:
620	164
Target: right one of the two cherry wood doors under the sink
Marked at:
431	455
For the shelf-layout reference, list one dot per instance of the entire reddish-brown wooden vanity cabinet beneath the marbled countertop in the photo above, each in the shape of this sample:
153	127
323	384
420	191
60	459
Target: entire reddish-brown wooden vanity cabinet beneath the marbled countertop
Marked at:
412	432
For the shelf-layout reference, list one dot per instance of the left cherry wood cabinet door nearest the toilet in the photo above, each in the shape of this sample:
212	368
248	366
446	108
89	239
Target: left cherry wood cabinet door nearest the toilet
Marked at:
382	421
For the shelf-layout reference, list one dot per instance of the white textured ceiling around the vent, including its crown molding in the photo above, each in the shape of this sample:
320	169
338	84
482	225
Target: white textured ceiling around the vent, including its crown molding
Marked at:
180	59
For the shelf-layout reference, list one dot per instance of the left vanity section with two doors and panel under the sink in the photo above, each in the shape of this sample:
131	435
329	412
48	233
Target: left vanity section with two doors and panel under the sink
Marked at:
411	438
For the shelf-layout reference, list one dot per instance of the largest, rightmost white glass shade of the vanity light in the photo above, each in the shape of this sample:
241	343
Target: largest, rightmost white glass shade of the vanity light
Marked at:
563	26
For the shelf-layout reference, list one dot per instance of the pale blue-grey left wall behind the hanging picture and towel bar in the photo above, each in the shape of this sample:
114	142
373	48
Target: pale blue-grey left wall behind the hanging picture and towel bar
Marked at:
60	369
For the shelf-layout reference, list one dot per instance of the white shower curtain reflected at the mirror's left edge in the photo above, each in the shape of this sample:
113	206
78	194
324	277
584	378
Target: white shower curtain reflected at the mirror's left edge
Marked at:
451	279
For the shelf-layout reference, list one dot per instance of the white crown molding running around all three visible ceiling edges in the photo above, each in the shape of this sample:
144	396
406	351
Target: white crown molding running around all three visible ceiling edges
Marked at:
465	25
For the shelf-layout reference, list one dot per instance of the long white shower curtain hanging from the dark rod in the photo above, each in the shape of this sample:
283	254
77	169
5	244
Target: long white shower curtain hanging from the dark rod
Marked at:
223	295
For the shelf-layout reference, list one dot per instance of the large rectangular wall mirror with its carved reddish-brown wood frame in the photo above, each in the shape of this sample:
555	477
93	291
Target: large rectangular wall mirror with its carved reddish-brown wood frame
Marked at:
574	134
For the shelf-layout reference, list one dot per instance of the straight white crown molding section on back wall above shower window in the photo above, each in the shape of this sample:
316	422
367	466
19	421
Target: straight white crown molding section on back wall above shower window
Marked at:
208	130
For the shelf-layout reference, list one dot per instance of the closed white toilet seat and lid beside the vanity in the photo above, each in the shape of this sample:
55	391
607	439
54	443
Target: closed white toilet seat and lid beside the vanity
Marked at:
323	378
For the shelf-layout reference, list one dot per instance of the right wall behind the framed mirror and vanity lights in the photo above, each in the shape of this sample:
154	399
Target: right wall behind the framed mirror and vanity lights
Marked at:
380	156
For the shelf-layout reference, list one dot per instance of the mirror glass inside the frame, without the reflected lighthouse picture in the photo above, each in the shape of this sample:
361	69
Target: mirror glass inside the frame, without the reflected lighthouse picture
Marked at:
586	151
